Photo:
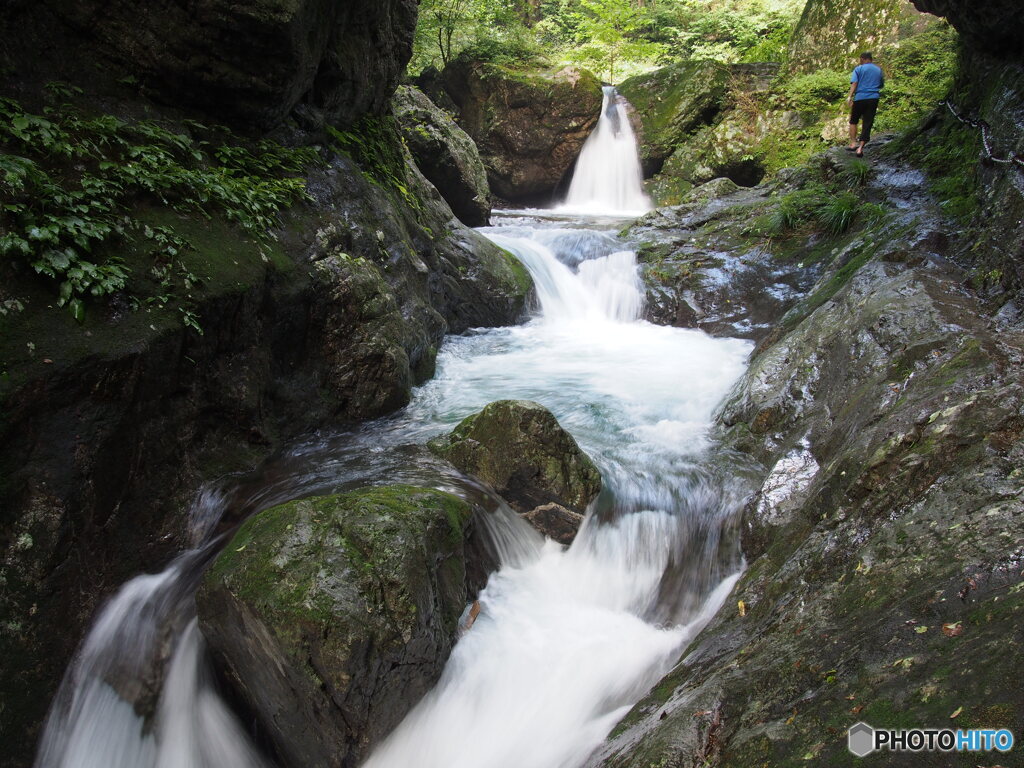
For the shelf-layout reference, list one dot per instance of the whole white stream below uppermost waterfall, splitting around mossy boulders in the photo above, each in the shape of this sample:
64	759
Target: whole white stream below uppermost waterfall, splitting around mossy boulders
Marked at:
567	641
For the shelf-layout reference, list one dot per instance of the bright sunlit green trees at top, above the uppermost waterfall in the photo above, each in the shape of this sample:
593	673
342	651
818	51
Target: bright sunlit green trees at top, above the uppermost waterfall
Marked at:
614	37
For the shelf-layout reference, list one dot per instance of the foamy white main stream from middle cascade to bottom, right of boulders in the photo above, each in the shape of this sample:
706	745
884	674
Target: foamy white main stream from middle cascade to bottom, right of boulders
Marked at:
567	644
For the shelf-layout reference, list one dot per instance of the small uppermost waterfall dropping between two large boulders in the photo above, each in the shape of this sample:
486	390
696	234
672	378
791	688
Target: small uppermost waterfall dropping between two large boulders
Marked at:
608	178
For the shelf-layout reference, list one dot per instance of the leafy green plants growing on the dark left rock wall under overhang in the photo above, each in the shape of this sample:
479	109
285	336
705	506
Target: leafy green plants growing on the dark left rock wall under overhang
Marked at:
71	185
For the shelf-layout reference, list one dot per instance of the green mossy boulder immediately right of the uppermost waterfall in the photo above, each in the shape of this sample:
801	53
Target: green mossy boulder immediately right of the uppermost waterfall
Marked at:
672	103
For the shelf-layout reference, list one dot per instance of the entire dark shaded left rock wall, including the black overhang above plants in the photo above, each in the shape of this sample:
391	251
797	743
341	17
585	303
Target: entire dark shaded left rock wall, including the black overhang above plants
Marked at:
109	429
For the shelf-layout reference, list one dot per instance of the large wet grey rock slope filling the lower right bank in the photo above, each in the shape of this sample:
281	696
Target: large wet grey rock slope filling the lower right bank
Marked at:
886	558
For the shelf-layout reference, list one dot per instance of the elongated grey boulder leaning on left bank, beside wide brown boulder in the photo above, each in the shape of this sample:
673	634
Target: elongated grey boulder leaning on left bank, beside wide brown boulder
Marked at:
445	154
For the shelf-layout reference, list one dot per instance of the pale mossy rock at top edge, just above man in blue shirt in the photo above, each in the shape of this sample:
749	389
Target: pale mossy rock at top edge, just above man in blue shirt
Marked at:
832	33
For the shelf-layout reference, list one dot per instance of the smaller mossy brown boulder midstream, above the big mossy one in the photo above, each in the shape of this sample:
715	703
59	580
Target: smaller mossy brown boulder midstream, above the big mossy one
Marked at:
519	449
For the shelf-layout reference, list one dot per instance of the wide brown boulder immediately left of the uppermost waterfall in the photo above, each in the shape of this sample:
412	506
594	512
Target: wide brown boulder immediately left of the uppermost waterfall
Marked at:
530	125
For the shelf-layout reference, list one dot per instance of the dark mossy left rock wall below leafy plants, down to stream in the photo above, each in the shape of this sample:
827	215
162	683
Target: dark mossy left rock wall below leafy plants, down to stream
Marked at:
104	448
